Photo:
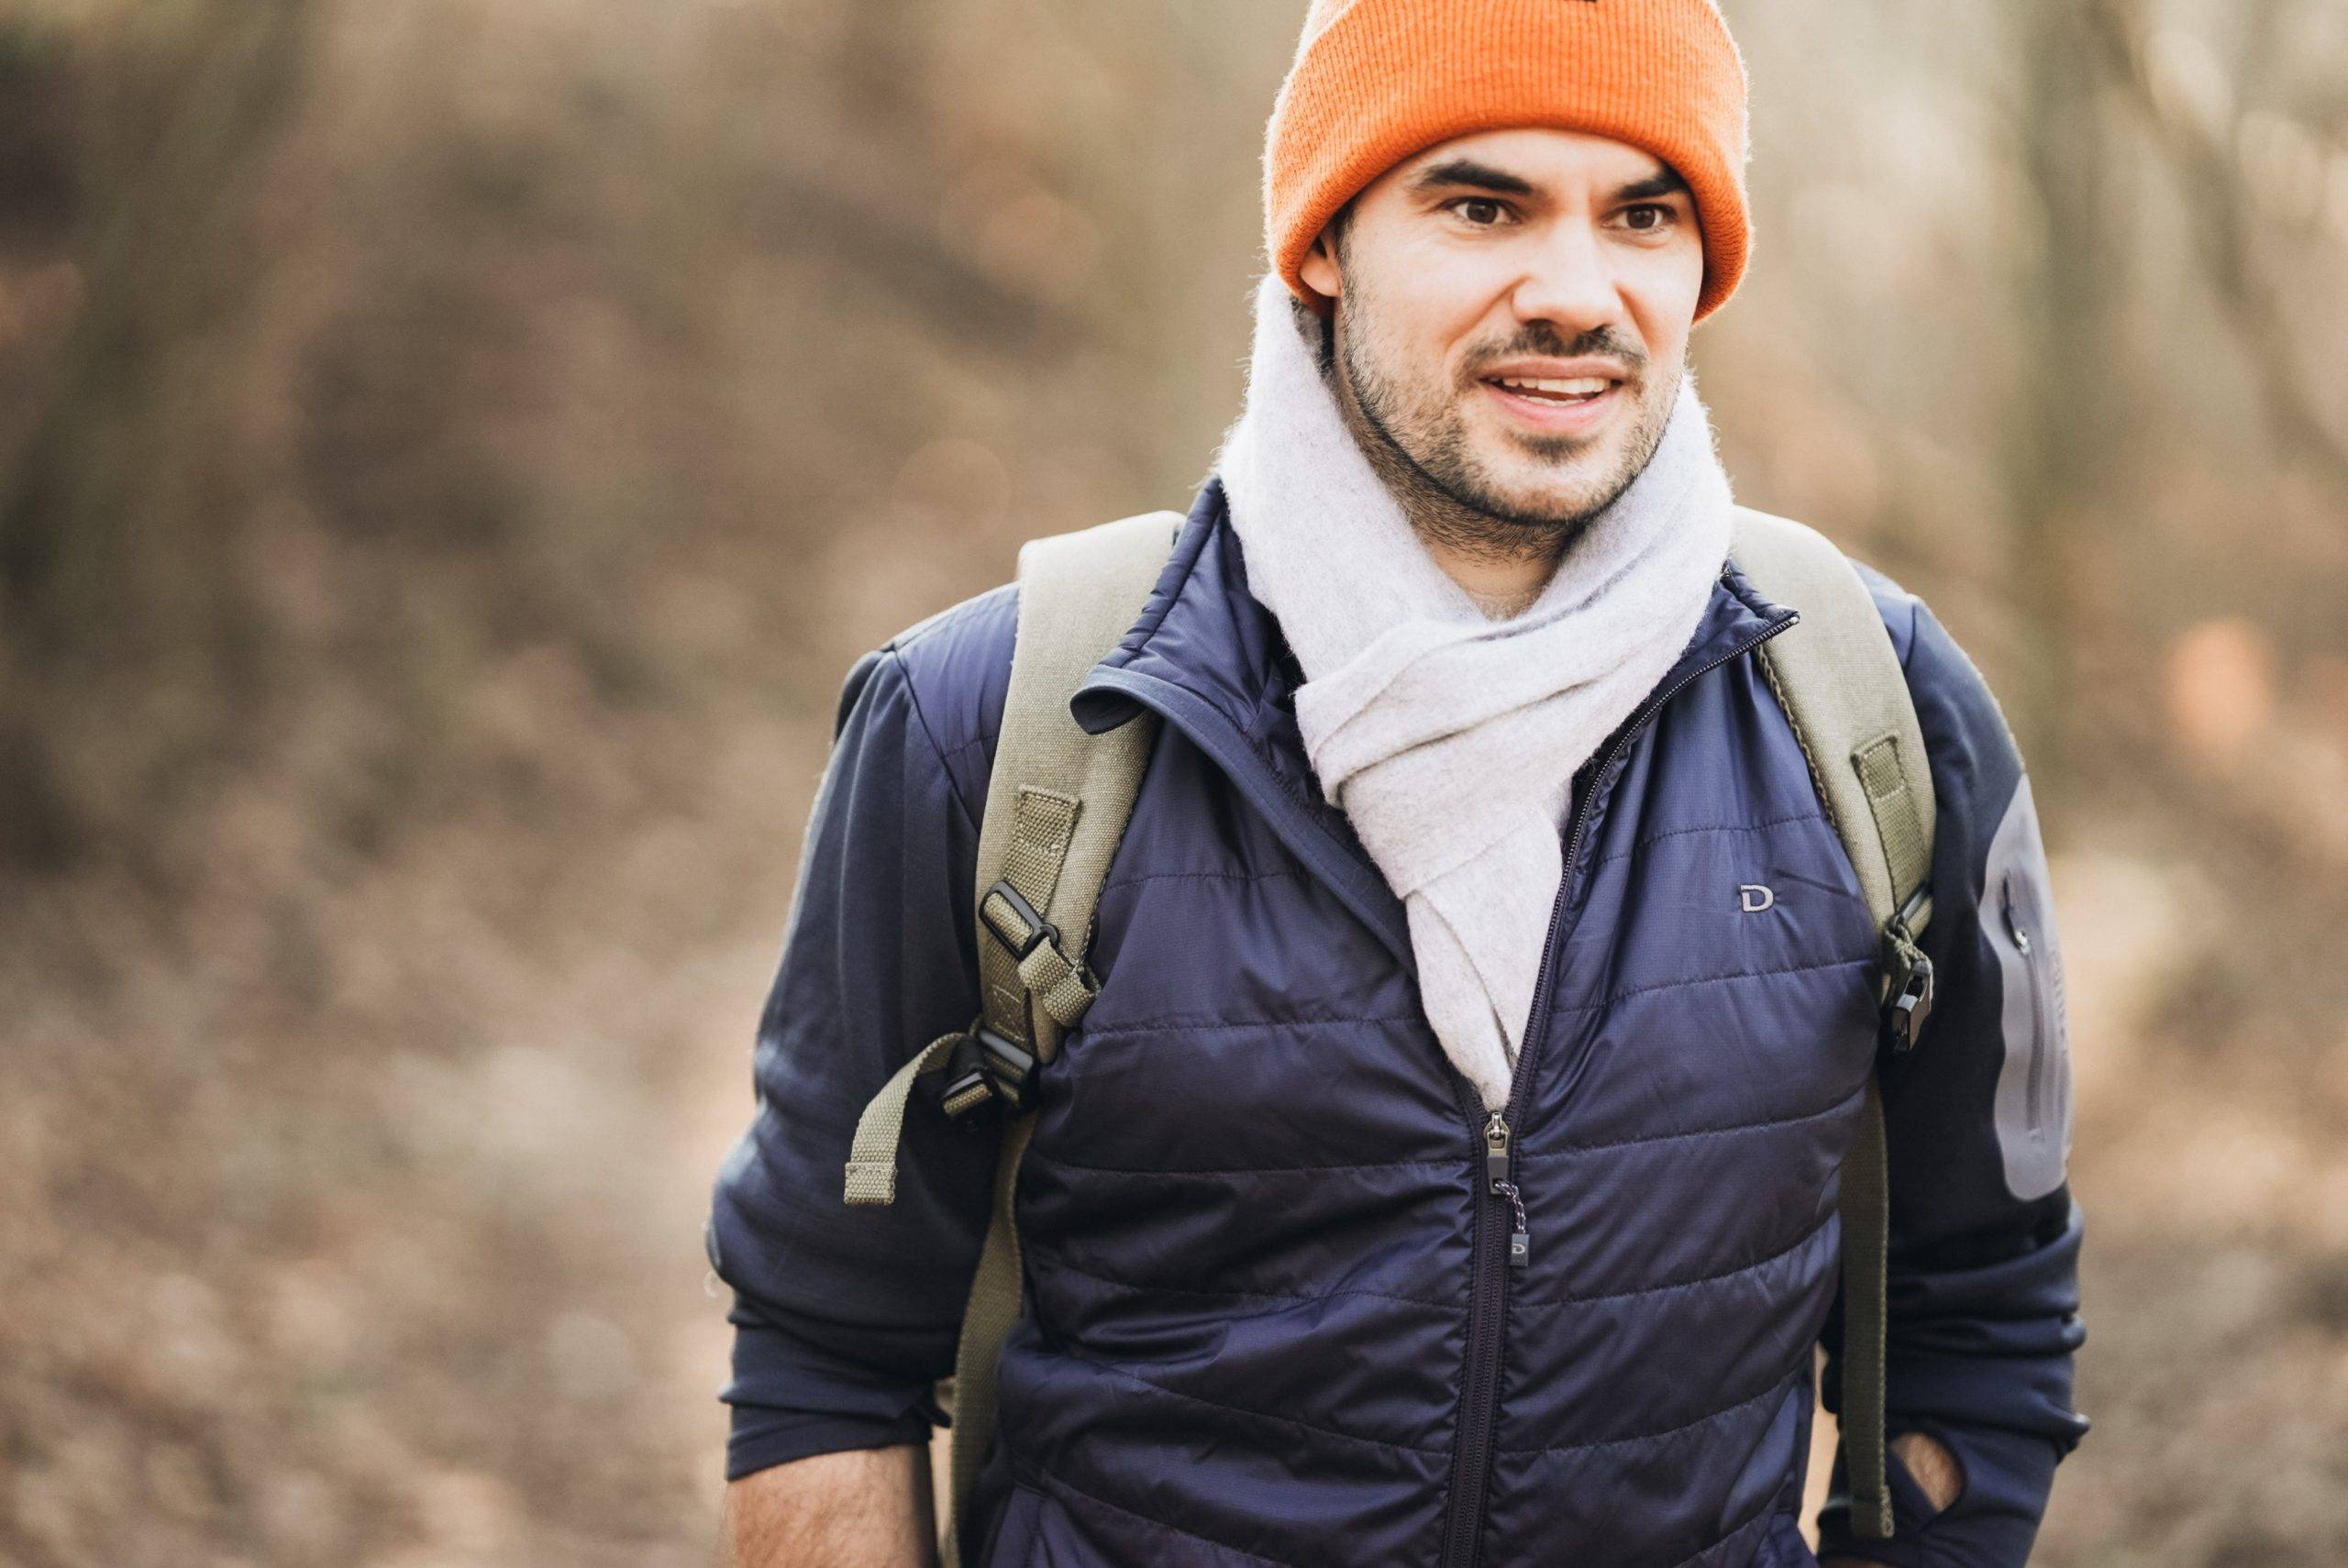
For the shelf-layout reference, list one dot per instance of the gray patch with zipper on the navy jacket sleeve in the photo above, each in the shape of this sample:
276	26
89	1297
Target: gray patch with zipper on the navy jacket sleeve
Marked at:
2035	1081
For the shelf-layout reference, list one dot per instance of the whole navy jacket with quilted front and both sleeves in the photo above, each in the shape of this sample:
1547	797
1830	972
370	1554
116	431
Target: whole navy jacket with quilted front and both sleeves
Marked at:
1271	1306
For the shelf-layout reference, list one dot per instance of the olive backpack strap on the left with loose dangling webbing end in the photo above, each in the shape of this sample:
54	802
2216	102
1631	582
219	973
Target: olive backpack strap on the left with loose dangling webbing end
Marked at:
1058	804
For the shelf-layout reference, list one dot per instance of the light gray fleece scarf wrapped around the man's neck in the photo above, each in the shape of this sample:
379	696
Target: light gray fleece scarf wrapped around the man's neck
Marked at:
1450	741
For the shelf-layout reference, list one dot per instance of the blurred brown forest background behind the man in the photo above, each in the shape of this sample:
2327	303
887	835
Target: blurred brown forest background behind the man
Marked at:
450	454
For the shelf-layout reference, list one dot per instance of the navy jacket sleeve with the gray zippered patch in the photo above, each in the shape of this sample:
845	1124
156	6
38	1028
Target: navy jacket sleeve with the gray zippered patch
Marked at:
1983	1304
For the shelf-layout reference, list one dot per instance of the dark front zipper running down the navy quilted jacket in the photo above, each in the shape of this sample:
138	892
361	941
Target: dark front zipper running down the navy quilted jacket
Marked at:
1504	1241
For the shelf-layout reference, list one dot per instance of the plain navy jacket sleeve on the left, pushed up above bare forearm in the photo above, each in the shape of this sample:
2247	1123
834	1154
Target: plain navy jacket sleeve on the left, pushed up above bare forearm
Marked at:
846	1318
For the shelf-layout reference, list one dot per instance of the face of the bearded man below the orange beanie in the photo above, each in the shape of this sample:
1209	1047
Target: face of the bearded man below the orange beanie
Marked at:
1518	257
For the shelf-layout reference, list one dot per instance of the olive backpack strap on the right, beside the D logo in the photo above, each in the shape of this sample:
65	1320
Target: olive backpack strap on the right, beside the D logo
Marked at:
1840	682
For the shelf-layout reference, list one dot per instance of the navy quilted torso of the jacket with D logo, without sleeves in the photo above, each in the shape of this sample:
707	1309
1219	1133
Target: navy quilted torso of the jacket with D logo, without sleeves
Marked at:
1274	1299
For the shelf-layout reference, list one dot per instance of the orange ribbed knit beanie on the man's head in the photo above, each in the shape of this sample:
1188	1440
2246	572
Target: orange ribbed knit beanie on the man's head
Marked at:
1379	81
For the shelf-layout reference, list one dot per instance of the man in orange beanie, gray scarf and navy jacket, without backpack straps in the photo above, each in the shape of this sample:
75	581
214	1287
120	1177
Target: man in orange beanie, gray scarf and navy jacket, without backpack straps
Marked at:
1473	832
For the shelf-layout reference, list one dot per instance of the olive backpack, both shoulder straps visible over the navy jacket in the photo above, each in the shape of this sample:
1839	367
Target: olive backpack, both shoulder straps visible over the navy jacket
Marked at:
1058	806
